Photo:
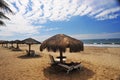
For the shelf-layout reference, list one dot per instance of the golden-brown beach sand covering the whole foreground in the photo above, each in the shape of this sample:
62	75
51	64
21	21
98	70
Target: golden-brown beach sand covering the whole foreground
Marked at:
98	64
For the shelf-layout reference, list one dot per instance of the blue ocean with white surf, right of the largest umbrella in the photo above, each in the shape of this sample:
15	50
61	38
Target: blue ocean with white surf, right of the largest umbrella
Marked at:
114	42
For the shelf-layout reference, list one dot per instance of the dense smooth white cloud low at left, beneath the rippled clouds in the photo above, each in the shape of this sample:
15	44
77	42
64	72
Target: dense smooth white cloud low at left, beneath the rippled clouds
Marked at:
18	25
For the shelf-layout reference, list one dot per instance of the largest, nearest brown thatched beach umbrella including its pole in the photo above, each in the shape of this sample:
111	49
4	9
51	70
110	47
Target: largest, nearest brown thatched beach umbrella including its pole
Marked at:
60	42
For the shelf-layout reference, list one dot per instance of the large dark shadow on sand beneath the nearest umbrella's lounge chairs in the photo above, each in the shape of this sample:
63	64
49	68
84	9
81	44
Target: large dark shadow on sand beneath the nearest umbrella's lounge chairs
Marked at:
56	74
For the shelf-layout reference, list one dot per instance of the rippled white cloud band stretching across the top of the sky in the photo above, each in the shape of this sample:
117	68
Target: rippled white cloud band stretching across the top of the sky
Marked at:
59	10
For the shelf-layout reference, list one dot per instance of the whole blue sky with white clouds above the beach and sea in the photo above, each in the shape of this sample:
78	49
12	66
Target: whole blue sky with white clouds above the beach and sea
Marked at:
81	19
